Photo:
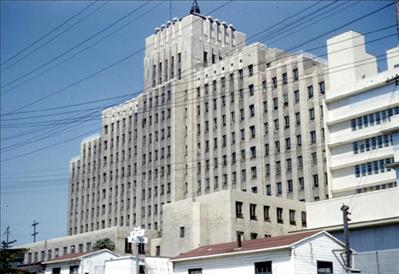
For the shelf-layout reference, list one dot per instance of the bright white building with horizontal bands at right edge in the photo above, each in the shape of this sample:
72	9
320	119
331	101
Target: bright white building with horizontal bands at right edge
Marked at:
360	106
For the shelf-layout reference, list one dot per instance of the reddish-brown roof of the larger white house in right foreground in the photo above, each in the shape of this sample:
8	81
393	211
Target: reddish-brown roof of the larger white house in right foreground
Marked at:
279	242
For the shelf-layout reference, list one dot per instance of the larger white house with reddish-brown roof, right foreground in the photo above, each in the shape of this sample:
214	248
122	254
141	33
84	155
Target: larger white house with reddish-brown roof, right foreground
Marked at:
299	253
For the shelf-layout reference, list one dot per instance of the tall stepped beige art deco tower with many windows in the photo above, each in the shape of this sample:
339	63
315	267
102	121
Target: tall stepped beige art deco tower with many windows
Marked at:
215	114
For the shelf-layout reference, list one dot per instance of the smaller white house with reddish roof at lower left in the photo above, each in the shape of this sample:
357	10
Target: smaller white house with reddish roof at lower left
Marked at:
80	263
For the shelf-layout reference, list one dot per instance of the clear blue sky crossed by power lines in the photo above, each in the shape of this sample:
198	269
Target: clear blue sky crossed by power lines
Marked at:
62	62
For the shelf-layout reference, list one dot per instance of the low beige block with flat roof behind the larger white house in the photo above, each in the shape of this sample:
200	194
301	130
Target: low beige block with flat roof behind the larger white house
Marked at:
223	216
